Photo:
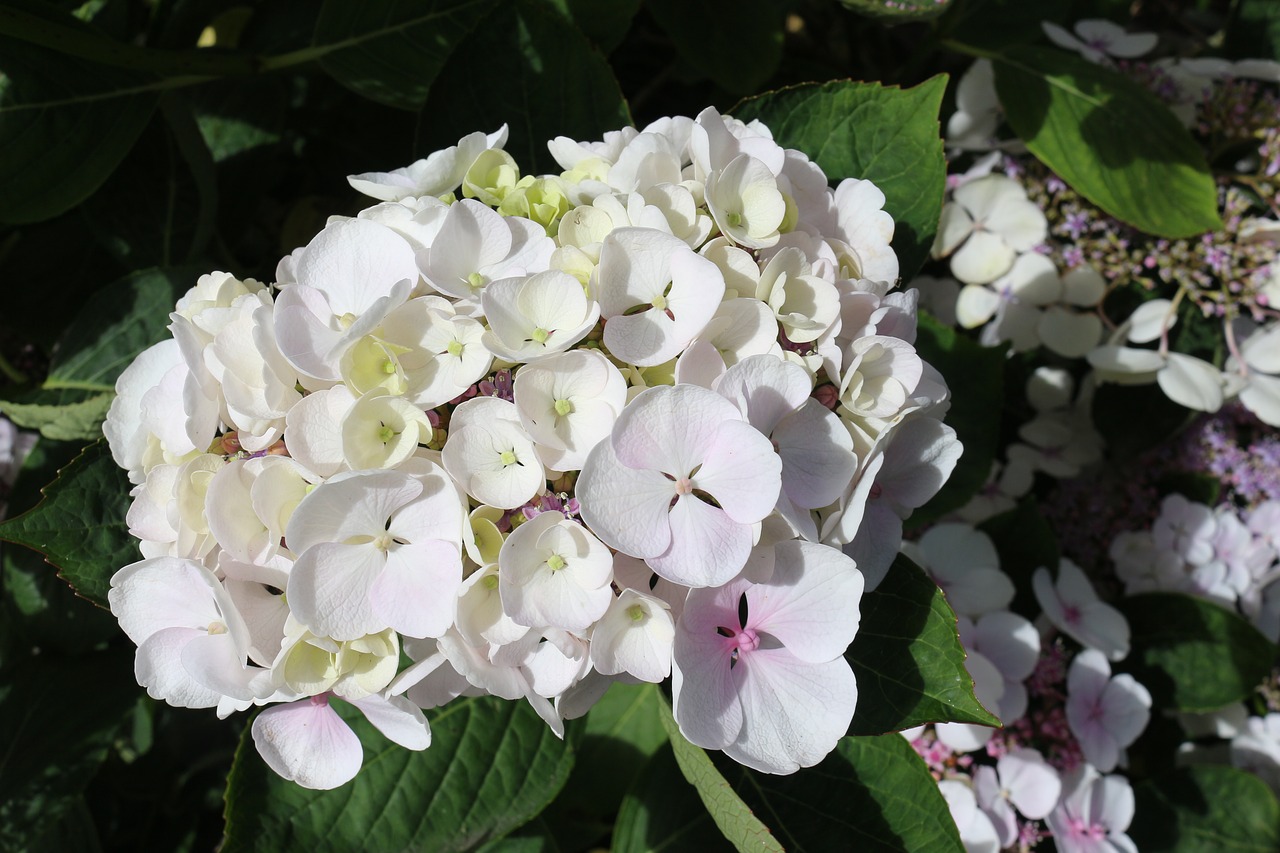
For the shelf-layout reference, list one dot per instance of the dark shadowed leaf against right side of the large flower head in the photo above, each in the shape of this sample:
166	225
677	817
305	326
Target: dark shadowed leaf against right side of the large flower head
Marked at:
976	376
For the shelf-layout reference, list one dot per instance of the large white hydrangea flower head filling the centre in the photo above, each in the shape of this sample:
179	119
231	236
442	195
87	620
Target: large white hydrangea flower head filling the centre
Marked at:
634	421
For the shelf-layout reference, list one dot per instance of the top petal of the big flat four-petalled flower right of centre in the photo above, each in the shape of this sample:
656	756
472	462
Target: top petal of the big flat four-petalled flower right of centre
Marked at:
671	428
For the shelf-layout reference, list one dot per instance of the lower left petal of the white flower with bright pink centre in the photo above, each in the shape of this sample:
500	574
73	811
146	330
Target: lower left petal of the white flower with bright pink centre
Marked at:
705	696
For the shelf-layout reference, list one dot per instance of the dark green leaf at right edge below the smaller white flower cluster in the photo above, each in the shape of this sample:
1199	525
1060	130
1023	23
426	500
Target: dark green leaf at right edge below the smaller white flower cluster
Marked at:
1191	654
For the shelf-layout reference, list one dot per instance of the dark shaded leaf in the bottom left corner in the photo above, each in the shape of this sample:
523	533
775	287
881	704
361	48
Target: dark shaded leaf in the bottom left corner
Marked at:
61	718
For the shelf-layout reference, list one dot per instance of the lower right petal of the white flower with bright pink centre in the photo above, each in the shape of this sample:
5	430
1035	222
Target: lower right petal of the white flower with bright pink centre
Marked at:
793	713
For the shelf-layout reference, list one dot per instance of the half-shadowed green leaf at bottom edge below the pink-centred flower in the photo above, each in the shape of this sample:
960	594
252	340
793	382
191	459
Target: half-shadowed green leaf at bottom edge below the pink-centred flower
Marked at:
870	795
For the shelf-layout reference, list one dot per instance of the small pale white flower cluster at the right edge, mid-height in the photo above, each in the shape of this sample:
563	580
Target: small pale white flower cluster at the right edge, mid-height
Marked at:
1212	554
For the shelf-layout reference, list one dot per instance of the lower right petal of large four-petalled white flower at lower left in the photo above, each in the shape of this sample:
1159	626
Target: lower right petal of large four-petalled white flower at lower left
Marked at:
417	591
